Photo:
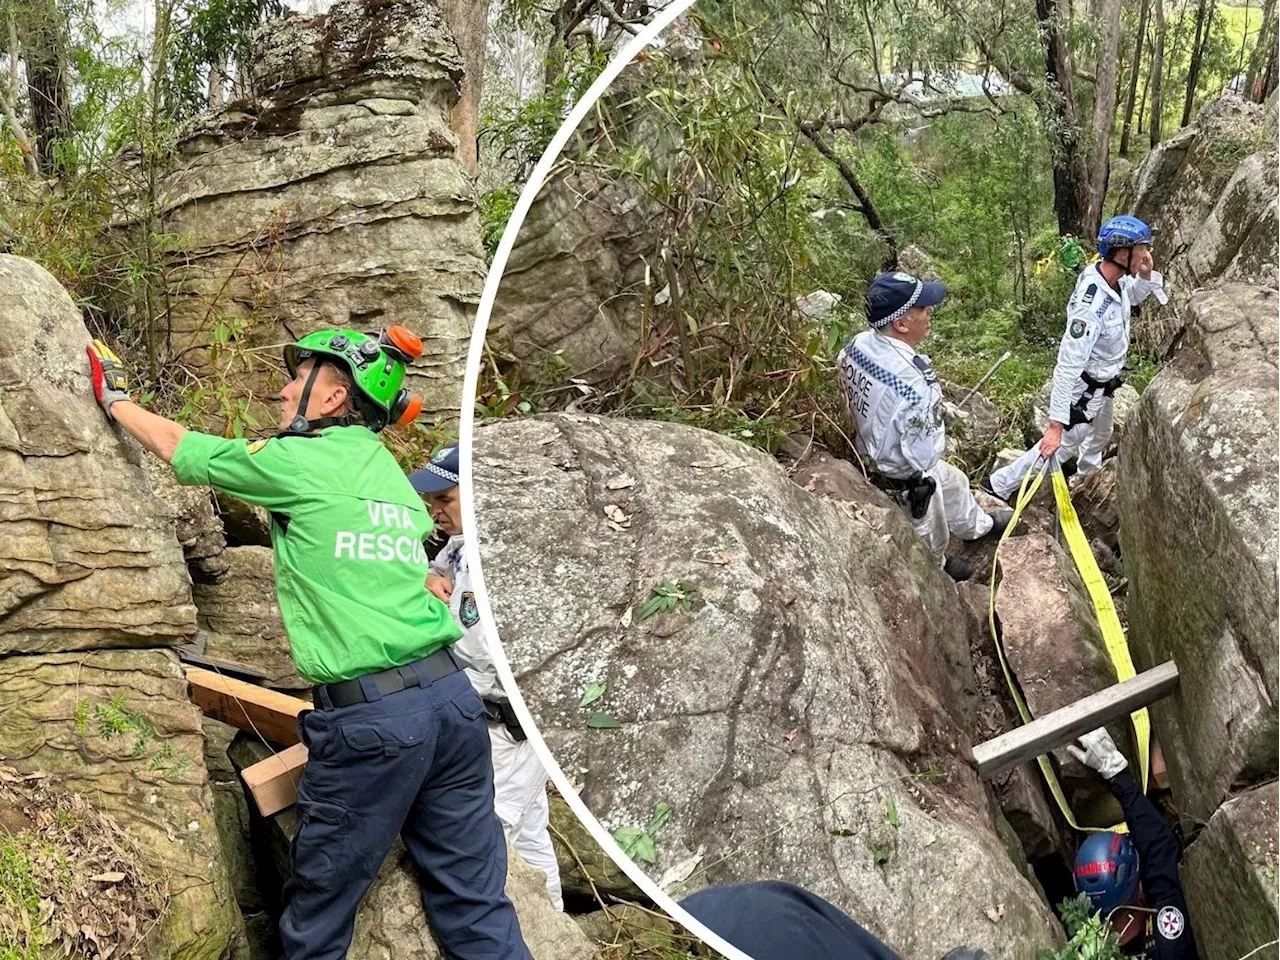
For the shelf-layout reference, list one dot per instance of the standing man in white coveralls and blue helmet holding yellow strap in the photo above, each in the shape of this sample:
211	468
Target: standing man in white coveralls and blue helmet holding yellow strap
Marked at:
1092	354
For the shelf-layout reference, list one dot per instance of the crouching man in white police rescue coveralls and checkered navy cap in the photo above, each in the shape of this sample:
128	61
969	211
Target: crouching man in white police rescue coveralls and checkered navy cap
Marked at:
895	401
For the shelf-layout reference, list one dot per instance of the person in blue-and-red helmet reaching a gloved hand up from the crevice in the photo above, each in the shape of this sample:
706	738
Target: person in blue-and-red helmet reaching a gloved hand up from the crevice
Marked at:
1132	880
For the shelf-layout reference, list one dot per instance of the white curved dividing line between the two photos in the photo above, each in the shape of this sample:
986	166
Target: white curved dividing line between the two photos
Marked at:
642	880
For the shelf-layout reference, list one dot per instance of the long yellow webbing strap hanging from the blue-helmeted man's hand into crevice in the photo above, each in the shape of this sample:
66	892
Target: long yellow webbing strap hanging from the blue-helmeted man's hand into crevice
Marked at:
1109	623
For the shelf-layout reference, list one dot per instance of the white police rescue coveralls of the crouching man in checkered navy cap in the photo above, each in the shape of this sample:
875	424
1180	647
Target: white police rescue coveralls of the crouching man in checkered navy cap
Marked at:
895	401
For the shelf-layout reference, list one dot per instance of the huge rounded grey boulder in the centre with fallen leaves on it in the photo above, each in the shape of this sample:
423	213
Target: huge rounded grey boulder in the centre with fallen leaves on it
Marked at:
799	717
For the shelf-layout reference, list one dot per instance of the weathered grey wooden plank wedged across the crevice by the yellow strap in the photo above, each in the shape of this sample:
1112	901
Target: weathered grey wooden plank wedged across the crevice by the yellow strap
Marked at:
1063	726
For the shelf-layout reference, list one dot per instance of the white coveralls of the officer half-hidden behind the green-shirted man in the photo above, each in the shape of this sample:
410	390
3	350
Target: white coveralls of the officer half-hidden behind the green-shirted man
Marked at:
519	776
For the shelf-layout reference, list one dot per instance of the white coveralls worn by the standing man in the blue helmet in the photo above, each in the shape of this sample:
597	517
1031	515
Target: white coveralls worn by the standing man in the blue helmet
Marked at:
1096	344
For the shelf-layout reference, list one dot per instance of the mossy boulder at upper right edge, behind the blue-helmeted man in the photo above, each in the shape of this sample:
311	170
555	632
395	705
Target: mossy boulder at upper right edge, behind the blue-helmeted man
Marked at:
1212	196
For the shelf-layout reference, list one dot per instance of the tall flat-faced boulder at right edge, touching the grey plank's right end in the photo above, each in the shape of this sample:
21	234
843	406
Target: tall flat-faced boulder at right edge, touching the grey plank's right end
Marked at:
1200	522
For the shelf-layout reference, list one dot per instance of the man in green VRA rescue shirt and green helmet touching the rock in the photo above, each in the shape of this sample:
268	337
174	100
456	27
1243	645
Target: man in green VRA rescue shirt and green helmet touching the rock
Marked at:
397	742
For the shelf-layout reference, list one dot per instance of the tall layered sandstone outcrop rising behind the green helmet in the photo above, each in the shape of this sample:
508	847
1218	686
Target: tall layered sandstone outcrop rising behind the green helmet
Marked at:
336	199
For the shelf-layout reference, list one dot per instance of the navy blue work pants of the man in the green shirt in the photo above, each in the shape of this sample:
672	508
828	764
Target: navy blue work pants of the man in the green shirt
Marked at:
414	765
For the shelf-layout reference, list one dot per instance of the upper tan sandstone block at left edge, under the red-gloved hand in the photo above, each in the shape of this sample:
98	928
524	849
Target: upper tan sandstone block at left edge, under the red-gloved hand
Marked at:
89	557
